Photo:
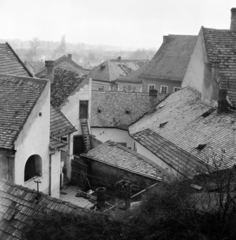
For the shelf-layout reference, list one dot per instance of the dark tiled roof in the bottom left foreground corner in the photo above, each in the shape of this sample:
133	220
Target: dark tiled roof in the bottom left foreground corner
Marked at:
19	205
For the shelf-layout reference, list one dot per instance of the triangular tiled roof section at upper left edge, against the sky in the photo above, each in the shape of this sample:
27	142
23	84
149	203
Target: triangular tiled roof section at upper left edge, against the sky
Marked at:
10	63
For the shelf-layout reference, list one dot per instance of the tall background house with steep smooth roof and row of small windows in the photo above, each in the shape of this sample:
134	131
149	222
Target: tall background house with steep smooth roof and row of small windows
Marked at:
166	70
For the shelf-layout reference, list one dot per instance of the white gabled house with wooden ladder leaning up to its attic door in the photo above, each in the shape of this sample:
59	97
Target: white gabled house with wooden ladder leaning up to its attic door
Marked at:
71	94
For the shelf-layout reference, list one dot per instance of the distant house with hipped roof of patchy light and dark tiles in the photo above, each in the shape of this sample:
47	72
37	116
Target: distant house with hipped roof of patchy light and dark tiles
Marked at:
105	75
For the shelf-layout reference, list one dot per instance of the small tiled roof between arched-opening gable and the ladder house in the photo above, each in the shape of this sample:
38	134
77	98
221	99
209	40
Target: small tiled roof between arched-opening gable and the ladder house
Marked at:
59	127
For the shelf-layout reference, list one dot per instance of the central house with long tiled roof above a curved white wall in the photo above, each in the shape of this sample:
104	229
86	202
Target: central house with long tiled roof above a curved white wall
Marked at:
113	112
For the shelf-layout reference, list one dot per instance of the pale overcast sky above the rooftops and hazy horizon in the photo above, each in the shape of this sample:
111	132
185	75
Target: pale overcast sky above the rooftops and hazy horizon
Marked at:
125	23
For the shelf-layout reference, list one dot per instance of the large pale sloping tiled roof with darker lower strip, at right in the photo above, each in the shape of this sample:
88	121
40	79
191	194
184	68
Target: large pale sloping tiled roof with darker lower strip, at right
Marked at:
192	128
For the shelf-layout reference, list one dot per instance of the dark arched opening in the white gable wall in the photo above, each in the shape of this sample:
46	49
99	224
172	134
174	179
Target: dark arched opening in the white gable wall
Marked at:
33	167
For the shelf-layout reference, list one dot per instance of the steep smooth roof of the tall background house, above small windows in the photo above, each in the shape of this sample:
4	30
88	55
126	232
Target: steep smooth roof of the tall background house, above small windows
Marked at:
171	60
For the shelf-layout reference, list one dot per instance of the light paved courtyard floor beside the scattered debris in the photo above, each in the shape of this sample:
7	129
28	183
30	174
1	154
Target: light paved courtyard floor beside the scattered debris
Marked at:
68	194
